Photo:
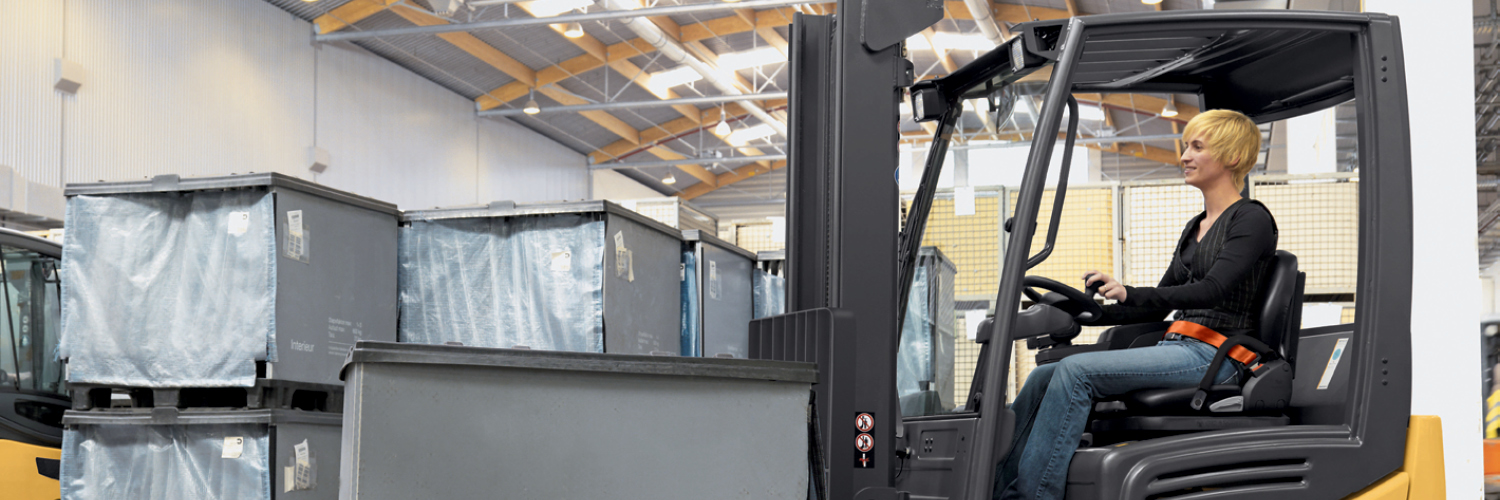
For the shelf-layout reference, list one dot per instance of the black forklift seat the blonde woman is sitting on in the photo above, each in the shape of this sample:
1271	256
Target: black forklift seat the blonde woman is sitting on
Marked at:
1262	397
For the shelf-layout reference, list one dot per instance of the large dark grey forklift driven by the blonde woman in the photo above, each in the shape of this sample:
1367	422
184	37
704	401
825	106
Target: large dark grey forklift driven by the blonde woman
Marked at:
1307	429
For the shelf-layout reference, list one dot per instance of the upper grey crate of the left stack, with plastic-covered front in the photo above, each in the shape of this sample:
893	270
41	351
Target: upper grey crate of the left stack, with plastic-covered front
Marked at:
190	283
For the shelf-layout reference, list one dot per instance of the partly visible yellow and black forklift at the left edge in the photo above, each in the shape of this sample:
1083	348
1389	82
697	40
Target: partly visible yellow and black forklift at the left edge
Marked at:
34	393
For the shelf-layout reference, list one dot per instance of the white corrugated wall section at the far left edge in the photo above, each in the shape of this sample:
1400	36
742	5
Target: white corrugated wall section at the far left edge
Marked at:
31	109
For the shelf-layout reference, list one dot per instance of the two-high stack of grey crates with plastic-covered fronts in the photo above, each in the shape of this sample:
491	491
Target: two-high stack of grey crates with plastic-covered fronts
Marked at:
205	325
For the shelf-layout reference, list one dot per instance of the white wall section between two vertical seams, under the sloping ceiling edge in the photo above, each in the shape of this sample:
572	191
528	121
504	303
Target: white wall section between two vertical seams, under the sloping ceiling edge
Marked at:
380	122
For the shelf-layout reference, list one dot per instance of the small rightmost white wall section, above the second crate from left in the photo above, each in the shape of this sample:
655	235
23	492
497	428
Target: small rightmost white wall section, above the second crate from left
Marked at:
521	166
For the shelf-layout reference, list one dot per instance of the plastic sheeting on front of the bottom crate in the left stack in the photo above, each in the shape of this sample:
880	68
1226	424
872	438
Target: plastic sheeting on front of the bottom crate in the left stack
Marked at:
167	462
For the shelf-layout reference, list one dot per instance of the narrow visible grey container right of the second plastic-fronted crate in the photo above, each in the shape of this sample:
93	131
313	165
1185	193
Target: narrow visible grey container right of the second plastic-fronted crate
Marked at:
719	303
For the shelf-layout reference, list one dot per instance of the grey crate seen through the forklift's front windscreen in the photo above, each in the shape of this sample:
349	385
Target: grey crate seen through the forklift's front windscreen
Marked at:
925	363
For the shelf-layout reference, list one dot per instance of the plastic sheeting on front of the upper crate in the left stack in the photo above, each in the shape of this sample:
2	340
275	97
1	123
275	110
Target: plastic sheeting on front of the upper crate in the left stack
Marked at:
170	289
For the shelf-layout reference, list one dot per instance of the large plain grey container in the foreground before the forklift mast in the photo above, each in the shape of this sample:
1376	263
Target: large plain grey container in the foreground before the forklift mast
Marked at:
467	423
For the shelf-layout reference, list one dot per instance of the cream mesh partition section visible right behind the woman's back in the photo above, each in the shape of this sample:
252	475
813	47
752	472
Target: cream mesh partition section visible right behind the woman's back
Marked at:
1319	221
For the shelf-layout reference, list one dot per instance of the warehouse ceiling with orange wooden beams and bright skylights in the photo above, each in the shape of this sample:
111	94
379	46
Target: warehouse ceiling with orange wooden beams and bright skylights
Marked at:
611	64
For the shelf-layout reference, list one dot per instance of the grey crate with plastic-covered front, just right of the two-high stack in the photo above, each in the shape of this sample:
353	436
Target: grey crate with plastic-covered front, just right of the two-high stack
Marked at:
574	277
